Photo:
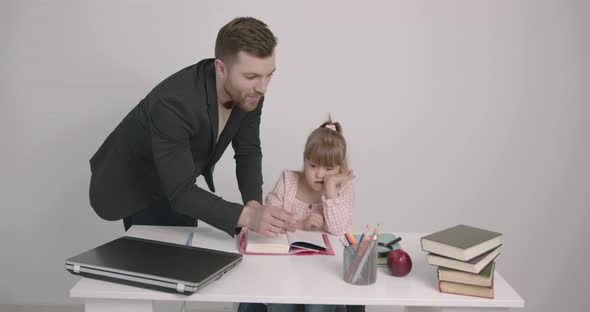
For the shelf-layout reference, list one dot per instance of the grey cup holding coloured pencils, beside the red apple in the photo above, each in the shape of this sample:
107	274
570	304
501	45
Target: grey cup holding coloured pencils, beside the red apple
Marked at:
360	264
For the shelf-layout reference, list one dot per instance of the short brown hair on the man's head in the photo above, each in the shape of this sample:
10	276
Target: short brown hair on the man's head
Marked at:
244	34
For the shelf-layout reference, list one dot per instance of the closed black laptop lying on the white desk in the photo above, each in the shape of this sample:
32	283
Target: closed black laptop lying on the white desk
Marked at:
153	264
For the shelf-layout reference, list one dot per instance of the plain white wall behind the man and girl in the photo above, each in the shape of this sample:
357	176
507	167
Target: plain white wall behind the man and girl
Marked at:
470	112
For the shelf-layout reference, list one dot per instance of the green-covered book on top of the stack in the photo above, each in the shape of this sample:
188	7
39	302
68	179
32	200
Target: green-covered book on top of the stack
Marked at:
461	242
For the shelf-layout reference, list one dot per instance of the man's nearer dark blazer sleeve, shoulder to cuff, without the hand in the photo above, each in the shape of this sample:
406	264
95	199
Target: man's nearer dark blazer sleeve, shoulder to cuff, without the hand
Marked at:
171	129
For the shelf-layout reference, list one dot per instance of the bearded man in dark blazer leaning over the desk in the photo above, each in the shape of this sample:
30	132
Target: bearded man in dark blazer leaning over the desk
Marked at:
145	171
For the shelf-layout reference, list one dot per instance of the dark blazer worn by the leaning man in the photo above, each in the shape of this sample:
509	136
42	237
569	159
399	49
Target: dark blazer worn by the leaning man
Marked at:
166	142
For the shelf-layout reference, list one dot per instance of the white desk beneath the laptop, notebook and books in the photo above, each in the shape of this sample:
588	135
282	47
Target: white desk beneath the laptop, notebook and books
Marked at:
300	279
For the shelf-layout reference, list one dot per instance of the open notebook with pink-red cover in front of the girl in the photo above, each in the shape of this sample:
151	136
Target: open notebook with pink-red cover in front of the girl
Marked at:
295	243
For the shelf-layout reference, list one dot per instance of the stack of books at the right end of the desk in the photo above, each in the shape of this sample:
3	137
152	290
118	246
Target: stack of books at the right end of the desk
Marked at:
465	257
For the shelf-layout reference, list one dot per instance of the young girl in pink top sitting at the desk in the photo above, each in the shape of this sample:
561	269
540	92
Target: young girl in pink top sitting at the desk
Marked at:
321	196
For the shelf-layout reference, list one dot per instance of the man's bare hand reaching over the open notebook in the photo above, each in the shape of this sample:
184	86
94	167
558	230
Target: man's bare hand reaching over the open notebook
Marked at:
266	220
